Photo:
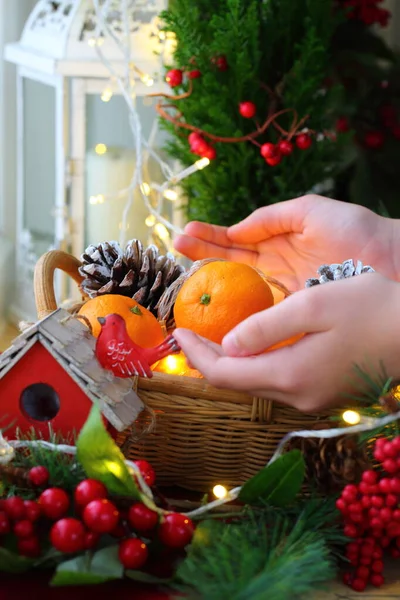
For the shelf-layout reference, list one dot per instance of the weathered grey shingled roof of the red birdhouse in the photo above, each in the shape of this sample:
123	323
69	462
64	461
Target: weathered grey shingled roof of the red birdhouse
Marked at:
72	345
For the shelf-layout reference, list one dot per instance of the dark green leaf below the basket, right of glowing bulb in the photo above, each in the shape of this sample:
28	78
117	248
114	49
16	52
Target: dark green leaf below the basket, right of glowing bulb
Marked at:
278	484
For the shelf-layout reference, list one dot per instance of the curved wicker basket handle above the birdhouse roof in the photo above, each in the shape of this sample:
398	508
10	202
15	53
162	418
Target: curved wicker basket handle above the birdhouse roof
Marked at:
43	281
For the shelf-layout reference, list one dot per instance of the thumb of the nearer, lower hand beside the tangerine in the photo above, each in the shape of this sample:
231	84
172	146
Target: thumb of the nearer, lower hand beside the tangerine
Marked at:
292	317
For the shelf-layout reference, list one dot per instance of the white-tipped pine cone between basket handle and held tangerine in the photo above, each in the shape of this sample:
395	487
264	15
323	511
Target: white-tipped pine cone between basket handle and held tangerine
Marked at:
141	274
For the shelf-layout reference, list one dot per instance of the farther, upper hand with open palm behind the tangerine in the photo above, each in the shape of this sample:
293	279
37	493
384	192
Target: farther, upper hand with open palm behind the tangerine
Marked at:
290	240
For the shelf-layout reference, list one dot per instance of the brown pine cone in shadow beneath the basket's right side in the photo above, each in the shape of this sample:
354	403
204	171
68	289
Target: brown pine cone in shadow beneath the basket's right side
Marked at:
331	463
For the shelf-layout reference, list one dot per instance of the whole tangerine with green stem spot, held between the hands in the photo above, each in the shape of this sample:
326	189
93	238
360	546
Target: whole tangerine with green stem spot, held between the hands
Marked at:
219	296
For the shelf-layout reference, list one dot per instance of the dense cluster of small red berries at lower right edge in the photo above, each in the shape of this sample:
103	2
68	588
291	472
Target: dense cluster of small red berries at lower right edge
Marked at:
371	516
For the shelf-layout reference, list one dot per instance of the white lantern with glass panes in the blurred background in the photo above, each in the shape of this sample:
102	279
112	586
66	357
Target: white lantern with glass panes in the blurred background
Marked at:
74	142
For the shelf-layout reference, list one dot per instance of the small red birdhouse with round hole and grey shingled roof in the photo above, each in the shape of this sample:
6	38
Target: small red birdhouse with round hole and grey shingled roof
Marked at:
50	376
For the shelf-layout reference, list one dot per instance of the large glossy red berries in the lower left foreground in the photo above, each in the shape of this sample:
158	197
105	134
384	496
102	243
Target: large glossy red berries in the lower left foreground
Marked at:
75	525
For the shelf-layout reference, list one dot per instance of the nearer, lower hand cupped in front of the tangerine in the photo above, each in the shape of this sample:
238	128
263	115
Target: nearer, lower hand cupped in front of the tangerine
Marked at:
355	321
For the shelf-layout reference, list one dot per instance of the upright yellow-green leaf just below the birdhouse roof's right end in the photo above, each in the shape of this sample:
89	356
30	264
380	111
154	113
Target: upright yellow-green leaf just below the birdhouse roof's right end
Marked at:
102	459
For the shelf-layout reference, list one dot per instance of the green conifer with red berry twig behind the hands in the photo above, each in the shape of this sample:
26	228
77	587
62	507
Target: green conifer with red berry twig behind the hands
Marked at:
258	105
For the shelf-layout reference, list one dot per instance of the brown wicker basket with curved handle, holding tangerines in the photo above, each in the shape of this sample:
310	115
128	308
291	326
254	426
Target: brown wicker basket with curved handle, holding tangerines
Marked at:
202	435
